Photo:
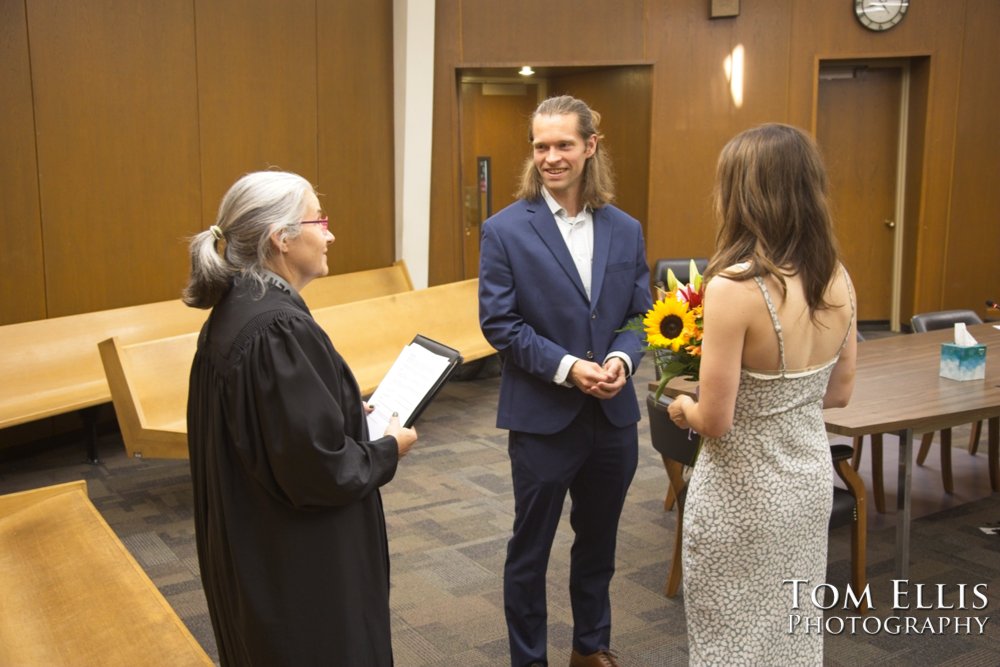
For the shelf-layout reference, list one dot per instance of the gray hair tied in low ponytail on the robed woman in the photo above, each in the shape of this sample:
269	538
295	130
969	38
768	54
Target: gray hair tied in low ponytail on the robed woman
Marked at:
255	206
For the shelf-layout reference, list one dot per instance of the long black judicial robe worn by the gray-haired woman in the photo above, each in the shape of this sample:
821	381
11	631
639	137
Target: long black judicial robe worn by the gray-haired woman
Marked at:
288	518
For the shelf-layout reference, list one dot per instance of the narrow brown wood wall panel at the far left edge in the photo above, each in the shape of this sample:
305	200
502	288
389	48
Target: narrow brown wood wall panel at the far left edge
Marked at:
22	290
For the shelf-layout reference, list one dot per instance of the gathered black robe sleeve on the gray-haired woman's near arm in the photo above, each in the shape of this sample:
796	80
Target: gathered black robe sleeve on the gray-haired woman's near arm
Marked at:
290	395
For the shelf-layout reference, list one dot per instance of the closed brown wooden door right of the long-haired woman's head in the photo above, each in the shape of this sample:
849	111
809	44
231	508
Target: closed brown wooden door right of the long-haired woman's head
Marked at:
858	129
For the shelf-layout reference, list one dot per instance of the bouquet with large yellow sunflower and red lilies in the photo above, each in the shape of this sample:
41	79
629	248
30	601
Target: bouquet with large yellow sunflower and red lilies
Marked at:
673	328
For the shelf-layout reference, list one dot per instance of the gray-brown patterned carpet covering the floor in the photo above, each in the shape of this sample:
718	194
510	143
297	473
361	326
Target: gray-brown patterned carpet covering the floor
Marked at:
449	513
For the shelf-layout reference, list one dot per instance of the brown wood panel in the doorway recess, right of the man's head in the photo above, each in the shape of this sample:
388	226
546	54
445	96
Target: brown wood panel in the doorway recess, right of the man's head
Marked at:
623	97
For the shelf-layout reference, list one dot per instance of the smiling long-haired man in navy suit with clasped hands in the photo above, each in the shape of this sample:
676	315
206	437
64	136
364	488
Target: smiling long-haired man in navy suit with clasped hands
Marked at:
561	272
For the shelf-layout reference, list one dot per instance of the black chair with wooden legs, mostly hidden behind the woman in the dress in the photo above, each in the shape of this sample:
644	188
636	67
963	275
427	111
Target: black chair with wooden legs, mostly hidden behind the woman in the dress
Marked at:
678	451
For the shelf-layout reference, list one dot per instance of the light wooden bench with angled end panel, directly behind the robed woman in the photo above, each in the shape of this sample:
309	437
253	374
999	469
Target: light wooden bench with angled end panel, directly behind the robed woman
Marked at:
149	380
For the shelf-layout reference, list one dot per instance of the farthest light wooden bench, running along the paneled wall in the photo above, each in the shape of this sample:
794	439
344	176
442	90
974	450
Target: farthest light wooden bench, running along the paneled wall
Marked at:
51	367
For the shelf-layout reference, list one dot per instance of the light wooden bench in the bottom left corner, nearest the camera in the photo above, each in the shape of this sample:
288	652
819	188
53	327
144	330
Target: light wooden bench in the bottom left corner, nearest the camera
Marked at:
74	595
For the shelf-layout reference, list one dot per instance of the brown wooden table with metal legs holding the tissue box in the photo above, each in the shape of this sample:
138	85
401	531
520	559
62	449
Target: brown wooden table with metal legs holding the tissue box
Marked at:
898	390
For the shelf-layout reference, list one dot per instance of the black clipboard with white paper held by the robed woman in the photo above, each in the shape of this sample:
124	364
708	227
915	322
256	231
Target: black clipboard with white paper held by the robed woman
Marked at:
406	388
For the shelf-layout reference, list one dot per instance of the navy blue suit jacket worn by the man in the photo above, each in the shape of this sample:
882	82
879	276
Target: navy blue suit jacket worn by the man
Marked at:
533	309
